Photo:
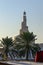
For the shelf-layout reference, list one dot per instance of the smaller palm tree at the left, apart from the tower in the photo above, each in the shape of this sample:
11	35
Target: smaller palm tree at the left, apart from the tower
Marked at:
7	42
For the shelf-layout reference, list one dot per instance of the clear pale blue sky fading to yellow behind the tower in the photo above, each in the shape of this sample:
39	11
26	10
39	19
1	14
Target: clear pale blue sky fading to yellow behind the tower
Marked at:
11	12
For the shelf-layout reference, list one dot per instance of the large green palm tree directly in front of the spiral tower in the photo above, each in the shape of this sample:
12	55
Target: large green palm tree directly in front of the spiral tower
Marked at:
24	43
